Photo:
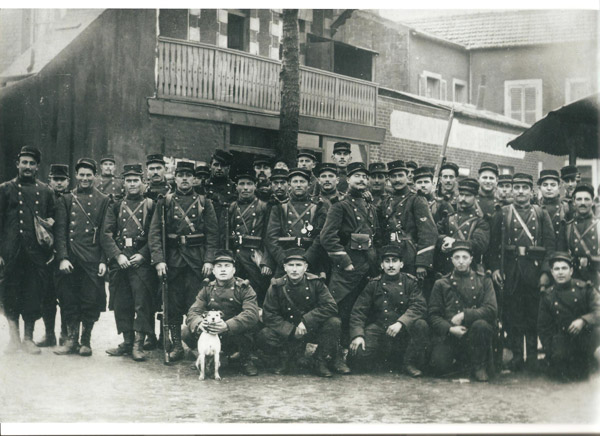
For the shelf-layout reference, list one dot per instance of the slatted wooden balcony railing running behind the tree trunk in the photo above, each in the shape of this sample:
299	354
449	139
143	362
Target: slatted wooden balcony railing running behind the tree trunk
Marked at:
198	72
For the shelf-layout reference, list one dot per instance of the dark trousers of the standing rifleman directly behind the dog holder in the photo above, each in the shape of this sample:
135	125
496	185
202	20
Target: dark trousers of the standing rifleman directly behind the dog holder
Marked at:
183	285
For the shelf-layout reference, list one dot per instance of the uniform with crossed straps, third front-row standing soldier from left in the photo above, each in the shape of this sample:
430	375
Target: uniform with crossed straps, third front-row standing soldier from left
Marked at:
126	229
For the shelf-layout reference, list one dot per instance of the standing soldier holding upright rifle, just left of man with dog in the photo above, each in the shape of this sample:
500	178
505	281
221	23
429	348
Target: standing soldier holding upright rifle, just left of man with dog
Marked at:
192	238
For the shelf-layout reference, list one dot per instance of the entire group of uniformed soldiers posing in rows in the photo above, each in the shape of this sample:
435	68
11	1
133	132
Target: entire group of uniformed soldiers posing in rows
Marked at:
374	264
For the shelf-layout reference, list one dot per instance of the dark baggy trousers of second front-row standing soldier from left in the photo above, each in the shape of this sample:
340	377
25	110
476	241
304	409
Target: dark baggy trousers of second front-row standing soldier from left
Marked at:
82	292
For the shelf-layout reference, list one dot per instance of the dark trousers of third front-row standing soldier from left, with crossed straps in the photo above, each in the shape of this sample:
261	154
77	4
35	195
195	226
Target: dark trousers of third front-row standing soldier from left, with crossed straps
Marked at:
132	291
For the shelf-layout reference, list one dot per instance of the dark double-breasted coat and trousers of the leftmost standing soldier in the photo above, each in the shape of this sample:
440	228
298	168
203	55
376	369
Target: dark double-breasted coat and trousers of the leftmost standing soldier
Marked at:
25	270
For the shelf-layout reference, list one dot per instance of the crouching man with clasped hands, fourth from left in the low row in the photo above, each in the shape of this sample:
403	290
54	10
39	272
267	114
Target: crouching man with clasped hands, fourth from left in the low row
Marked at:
462	313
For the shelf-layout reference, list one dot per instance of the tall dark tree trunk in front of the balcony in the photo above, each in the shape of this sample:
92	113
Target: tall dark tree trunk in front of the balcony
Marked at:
290	89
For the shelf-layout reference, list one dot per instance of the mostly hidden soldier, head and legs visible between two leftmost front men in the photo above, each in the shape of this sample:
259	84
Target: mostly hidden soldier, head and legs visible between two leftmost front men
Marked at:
59	183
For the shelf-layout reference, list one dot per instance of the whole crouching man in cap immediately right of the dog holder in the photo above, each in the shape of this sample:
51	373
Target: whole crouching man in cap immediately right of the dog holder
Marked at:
299	309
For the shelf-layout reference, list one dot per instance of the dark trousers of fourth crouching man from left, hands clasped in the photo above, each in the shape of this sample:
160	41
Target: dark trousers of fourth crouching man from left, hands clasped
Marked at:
473	348
